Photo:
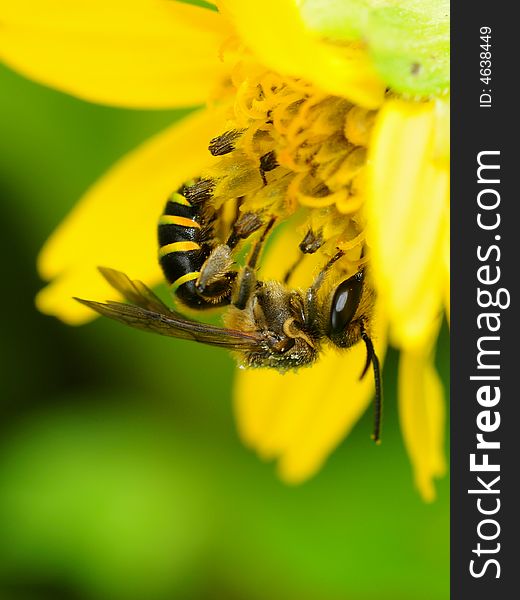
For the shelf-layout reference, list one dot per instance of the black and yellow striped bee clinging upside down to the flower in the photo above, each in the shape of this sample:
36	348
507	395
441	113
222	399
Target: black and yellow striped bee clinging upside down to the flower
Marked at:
266	323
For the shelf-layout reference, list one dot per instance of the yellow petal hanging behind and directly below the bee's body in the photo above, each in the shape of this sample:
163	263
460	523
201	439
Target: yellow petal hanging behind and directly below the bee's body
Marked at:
291	417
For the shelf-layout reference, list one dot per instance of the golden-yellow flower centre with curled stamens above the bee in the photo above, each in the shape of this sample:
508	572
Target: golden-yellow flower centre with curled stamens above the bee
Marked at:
290	148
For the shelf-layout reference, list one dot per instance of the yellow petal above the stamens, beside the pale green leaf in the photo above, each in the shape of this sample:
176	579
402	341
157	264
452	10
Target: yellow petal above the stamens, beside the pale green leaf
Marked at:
275	32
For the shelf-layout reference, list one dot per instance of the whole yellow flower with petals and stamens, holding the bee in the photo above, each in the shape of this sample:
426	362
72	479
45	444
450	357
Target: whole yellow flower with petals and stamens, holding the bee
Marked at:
365	167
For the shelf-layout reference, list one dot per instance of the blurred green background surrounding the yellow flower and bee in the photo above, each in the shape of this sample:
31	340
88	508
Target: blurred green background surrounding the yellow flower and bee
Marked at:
121	473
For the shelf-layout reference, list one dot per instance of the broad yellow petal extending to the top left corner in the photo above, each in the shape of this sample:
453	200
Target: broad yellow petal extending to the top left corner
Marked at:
132	53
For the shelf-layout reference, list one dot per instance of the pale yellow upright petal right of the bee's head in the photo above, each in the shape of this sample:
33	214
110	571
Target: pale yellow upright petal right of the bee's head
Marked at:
407	202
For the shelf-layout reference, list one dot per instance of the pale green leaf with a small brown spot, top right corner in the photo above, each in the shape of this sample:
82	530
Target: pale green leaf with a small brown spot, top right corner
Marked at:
407	40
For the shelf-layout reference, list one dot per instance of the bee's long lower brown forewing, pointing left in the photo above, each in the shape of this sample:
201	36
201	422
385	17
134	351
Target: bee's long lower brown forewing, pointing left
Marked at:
173	326
